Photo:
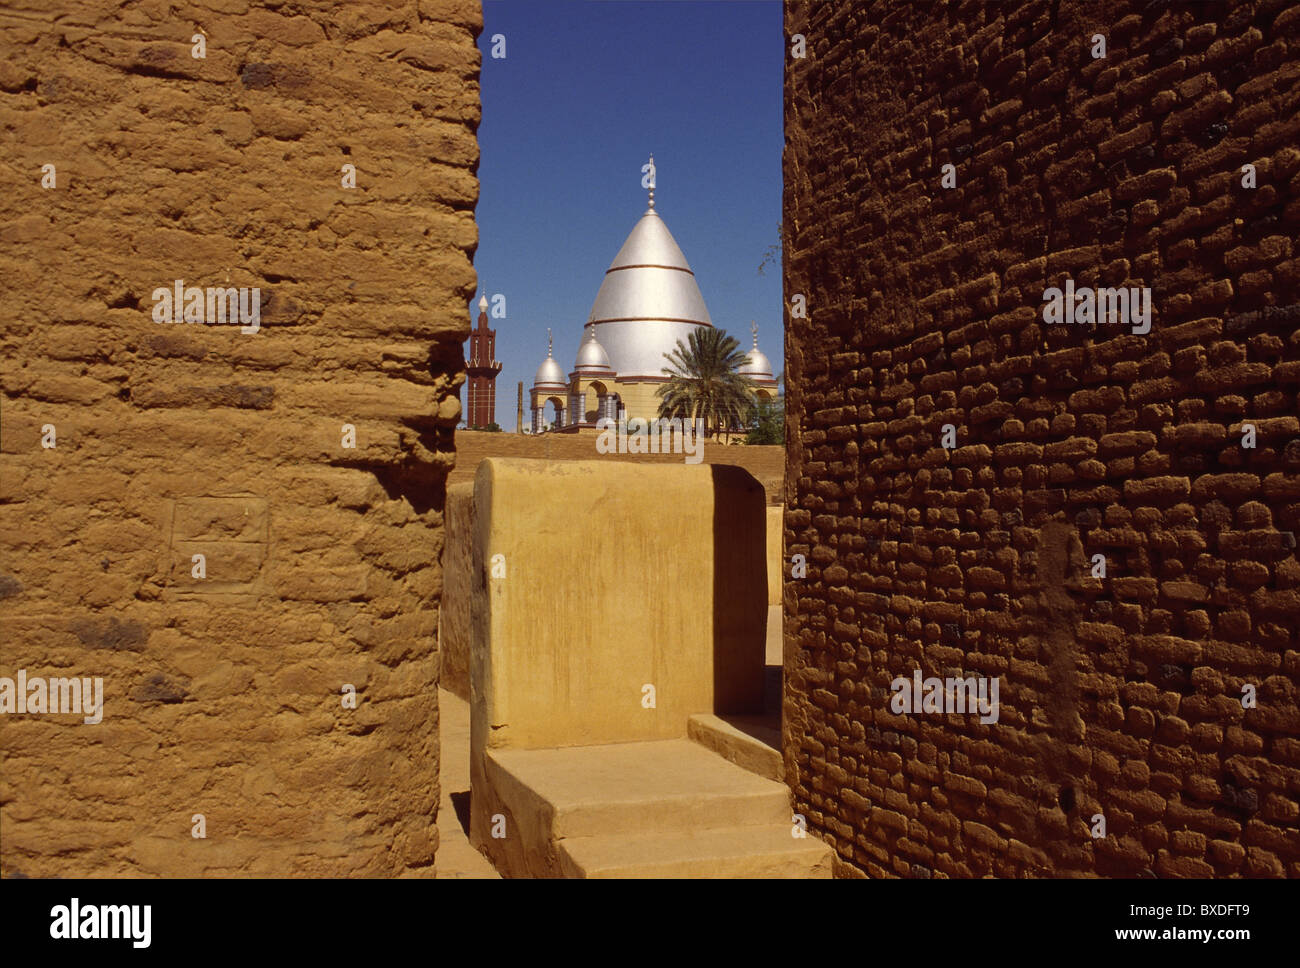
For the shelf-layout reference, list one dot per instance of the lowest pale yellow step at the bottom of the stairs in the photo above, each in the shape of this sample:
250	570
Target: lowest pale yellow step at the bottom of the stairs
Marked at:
766	852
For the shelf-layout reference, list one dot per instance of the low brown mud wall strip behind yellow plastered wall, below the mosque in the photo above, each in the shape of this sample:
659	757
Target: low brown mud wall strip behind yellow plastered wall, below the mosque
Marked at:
768	465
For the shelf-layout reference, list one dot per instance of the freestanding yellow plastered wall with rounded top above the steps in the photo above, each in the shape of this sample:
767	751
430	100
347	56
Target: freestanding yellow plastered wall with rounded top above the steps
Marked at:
617	576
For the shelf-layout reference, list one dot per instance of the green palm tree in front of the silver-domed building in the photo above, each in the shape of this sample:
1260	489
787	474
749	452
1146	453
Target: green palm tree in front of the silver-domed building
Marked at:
704	383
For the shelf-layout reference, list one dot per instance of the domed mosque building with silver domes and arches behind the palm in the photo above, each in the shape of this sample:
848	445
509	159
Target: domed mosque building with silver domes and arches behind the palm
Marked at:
648	302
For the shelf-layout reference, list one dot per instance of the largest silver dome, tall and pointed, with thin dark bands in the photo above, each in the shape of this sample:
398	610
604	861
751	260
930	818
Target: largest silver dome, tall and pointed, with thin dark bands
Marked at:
648	302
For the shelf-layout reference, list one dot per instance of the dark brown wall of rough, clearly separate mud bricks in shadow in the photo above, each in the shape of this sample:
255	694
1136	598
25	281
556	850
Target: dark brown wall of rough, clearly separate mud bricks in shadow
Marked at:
1120	696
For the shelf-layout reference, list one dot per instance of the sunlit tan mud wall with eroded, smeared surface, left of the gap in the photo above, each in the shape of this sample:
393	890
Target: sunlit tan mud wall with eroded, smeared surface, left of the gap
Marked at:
224	694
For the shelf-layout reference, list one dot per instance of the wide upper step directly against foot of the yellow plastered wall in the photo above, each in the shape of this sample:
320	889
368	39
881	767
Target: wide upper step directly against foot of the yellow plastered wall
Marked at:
653	788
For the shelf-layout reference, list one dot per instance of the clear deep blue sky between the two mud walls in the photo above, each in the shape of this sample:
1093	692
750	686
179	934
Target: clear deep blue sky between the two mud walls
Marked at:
586	94
